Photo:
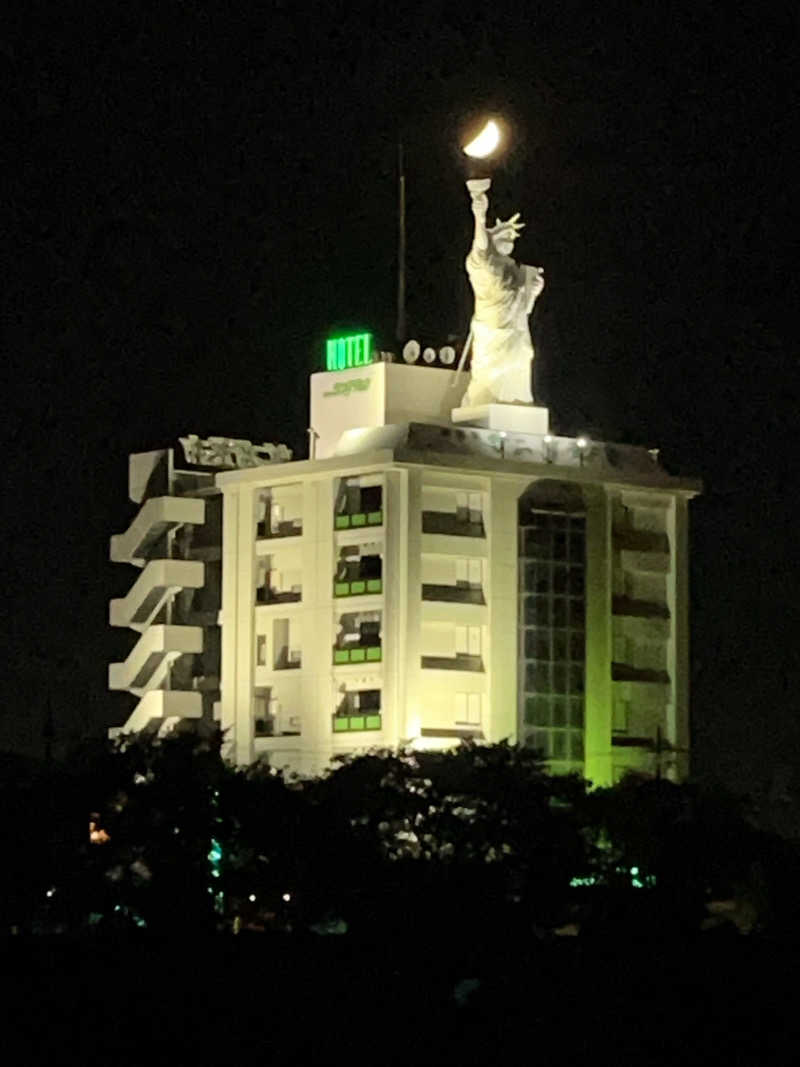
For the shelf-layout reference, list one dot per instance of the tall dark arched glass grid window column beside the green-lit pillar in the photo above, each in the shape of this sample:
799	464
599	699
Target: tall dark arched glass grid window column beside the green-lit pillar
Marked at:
552	632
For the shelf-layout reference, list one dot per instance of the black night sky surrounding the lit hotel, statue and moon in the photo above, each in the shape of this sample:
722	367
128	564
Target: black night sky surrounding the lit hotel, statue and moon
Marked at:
195	196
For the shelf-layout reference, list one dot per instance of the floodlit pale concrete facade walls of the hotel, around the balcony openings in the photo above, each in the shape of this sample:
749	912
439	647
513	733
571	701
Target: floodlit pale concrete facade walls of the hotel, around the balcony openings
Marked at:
417	699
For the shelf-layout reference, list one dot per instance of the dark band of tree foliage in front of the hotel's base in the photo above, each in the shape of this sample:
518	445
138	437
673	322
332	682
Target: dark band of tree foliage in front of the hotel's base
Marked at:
185	842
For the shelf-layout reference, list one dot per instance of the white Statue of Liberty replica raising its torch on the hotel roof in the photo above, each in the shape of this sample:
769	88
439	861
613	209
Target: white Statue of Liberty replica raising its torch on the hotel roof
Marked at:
505	294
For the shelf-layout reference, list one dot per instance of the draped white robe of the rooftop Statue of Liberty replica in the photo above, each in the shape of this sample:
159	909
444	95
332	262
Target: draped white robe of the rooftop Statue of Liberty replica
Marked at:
503	352
